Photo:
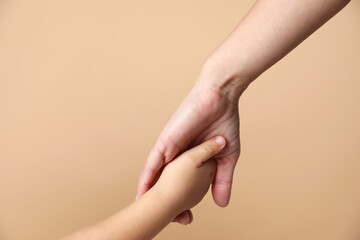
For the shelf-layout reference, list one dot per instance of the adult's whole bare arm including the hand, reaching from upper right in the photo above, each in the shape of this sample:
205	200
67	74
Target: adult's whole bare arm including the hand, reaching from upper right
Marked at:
270	30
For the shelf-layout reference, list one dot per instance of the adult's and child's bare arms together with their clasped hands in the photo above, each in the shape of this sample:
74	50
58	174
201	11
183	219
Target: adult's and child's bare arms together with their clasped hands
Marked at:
199	145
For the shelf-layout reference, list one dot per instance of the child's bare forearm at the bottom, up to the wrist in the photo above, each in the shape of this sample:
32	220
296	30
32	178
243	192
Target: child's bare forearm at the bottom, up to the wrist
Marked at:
141	220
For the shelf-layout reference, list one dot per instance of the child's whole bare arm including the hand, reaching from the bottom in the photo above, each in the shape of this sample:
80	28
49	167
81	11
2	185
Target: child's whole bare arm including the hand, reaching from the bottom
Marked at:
182	185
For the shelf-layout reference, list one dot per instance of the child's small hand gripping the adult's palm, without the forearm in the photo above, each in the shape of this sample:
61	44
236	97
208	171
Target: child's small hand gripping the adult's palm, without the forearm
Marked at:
186	179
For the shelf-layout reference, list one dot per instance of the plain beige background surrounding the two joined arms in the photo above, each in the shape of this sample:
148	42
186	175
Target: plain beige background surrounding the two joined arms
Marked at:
86	86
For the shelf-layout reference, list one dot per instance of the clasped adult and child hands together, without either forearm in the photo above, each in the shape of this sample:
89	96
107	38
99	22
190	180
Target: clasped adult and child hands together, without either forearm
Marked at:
187	151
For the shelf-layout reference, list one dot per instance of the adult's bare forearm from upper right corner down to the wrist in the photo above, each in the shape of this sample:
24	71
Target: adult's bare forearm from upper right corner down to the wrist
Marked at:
270	30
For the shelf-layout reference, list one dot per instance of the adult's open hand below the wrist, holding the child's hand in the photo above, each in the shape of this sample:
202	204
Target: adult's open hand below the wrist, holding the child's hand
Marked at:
204	113
